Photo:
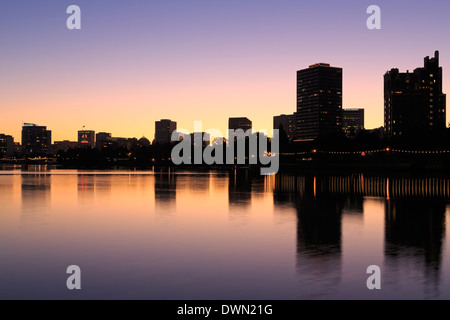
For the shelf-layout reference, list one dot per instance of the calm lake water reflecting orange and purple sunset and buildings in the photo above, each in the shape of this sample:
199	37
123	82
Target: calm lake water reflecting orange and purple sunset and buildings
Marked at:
193	235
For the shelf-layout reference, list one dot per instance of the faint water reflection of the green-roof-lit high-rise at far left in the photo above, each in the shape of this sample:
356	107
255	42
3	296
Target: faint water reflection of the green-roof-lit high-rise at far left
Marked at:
36	198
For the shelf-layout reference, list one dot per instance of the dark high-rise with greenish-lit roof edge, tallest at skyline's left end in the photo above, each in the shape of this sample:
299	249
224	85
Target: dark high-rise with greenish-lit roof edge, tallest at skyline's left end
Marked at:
36	140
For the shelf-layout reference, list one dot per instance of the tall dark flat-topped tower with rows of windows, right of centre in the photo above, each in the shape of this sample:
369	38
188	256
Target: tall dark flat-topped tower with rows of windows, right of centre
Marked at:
319	101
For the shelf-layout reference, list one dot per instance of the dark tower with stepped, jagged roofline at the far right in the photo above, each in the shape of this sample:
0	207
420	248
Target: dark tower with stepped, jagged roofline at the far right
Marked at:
414	104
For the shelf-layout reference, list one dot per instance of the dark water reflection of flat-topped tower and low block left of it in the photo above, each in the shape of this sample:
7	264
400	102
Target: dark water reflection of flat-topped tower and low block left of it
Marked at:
319	231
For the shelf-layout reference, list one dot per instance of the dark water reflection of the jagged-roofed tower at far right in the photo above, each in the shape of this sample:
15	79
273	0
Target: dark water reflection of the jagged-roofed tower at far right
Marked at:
414	233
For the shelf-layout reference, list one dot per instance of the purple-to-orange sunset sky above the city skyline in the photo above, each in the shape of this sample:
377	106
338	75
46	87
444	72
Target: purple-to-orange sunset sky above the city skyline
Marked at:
137	61
